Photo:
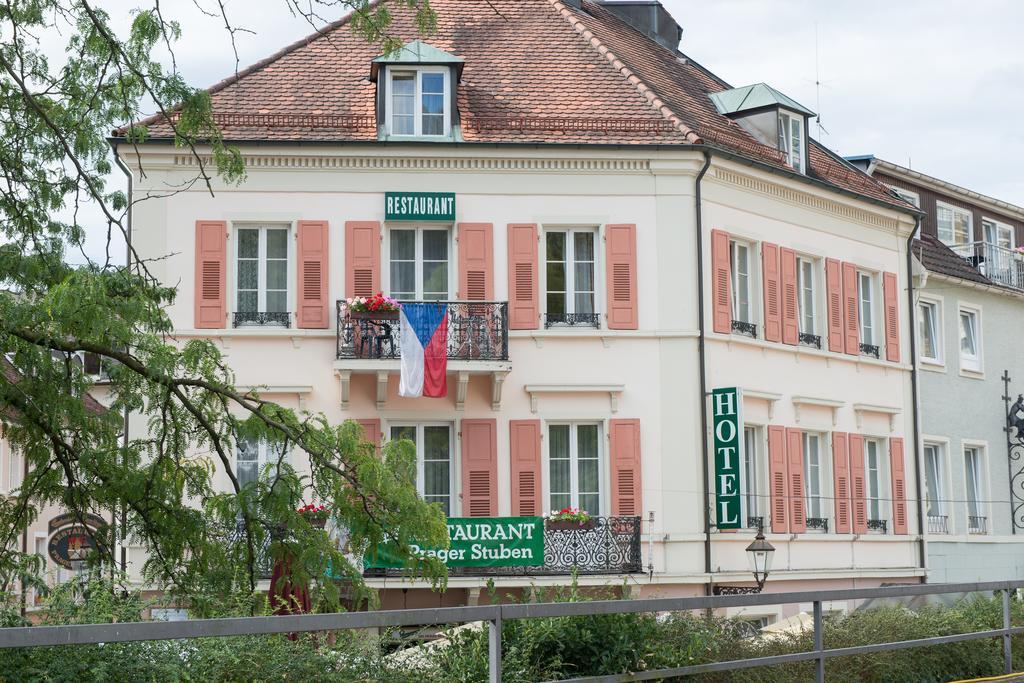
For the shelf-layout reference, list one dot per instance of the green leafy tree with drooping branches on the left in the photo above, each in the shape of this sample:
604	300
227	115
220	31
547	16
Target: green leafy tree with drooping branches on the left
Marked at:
56	162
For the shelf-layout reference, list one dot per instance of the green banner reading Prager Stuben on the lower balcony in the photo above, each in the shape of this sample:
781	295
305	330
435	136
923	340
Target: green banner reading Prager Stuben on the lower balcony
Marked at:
481	542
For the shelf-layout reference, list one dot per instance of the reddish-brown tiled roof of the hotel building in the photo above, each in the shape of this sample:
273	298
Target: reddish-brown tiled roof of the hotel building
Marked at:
536	71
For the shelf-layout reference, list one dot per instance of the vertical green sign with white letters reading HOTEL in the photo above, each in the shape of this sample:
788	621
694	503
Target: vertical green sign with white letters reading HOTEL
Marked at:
729	428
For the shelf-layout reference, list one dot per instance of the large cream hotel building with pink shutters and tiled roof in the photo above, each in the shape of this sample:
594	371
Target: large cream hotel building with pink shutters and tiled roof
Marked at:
611	246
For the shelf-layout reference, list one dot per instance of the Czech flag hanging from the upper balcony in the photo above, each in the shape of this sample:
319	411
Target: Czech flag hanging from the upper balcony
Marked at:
424	351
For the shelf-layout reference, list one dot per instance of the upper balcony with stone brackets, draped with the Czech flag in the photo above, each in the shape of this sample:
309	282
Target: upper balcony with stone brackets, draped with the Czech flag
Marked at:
478	345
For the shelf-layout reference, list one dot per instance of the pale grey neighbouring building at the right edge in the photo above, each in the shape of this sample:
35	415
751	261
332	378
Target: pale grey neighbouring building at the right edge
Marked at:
970	318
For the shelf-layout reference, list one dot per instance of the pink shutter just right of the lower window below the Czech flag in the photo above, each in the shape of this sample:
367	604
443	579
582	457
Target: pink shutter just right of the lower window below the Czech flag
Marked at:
480	468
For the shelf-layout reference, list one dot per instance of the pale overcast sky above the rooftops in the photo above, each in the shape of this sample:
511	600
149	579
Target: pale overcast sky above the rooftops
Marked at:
934	84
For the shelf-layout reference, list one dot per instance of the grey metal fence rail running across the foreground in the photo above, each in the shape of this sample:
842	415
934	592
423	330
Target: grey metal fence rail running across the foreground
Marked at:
496	615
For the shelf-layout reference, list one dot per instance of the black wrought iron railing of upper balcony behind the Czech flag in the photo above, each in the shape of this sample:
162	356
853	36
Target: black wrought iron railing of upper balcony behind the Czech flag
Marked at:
477	331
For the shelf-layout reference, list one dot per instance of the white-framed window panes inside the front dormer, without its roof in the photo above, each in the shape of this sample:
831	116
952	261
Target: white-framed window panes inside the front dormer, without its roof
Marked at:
418	102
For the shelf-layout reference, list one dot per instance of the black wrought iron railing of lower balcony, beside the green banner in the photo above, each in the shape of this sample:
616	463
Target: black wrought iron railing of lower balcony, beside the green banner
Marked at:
610	546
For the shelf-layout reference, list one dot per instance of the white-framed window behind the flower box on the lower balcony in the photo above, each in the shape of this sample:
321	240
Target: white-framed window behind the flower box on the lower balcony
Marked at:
575	466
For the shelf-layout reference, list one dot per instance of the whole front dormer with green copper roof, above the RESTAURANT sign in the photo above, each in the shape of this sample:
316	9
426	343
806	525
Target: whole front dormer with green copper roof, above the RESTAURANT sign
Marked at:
416	94
